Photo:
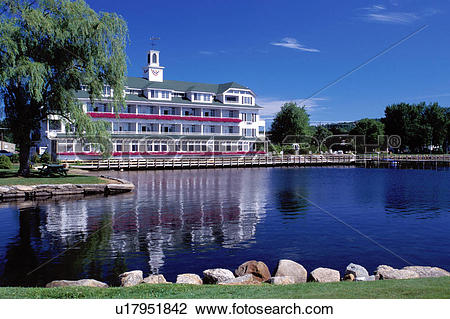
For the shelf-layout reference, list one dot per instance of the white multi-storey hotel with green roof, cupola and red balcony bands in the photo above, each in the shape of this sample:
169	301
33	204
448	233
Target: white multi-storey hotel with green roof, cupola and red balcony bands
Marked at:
166	118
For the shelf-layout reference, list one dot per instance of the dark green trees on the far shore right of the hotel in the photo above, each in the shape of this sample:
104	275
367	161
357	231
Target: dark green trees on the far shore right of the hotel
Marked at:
422	127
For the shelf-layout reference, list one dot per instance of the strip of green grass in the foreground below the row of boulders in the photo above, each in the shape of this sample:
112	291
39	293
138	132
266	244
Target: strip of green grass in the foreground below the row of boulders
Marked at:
386	289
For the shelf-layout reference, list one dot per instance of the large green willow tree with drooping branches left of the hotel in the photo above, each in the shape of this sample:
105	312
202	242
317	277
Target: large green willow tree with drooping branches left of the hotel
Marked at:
48	49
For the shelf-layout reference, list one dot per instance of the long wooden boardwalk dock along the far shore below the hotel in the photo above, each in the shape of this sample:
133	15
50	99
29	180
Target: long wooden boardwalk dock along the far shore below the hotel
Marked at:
187	162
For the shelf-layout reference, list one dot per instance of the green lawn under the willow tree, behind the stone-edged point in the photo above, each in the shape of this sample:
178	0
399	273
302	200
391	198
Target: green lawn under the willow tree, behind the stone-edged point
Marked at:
9	177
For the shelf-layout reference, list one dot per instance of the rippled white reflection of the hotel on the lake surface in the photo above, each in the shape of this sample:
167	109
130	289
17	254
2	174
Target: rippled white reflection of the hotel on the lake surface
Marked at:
170	212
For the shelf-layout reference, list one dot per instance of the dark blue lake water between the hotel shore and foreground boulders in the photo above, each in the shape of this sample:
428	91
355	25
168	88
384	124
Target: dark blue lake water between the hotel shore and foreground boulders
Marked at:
190	220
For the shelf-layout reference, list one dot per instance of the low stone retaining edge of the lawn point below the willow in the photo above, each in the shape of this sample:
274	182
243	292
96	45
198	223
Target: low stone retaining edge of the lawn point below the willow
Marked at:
25	192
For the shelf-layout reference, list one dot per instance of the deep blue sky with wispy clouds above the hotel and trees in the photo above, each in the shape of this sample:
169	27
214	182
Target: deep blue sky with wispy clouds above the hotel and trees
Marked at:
287	50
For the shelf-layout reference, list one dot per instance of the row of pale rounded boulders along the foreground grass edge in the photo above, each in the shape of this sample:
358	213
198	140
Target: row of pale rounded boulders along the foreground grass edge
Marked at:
256	272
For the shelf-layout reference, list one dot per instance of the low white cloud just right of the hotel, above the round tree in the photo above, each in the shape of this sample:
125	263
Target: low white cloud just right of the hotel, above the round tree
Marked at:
273	105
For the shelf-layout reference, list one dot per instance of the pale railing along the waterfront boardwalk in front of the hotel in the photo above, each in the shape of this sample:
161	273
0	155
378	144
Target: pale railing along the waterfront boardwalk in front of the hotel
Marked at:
204	162
